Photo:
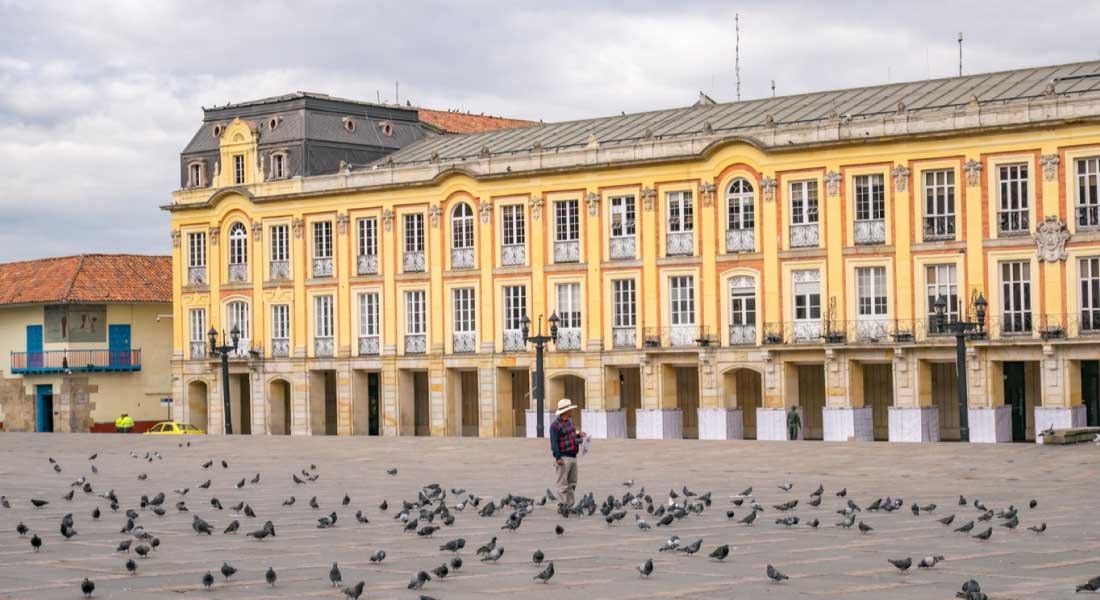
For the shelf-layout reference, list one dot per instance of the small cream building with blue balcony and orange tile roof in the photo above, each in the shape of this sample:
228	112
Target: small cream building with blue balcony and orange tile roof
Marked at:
84	340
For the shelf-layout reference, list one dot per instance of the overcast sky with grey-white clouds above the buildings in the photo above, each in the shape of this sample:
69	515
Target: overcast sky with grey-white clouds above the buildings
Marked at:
97	100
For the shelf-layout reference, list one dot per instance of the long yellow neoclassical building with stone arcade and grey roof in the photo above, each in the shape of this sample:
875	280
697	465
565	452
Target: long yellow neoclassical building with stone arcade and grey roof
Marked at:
711	267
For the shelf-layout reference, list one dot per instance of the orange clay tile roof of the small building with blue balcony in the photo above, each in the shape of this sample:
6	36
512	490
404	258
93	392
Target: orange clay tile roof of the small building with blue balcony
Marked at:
87	279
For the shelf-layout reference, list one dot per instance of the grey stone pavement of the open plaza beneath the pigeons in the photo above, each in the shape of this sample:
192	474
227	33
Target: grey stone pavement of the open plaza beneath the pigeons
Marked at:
593	560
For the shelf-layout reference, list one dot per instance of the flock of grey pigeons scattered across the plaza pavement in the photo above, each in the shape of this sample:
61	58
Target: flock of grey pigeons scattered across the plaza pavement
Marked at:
435	509
